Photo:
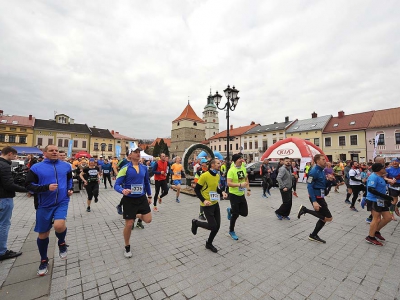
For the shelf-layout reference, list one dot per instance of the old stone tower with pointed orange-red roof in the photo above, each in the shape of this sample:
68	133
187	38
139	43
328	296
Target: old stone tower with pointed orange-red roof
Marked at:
187	129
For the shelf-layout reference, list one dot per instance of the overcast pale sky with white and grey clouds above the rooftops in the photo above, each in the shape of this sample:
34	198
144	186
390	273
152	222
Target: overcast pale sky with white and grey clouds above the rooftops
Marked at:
131	66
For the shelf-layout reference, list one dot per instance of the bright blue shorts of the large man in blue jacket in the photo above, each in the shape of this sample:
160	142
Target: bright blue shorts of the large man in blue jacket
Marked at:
46	215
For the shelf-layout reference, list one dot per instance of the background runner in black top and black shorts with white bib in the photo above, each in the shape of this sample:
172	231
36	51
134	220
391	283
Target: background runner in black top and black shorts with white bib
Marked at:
91	178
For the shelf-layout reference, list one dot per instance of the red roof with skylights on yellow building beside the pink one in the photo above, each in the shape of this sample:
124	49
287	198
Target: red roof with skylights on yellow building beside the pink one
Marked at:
349	122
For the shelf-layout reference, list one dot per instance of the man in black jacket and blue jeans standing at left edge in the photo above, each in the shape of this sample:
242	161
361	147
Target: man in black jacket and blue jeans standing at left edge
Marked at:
7	193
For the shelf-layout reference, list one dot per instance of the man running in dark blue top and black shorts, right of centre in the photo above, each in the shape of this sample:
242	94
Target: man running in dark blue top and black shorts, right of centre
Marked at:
316	186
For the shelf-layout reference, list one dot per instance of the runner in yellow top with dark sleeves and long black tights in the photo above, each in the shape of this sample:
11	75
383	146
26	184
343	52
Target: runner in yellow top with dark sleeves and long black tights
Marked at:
209	194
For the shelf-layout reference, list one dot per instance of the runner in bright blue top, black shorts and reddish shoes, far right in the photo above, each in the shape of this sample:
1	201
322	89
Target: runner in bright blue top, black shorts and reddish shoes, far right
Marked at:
378	203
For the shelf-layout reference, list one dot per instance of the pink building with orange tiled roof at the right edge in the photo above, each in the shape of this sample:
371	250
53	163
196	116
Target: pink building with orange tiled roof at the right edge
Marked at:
385	126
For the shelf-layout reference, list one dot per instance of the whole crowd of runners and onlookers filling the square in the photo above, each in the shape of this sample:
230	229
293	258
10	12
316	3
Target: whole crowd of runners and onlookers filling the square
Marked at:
375	185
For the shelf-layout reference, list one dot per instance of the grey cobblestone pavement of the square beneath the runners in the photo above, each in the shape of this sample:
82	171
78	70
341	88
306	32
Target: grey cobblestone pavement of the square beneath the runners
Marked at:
272	259
